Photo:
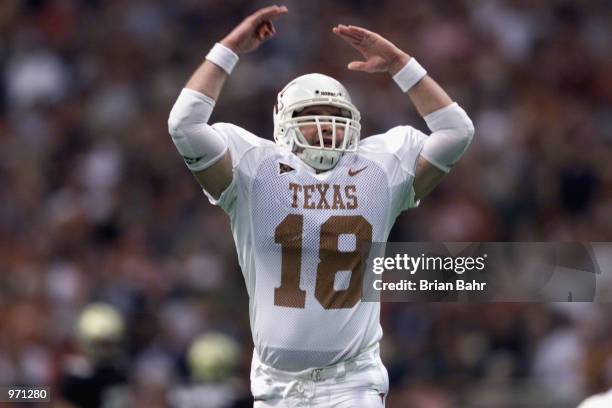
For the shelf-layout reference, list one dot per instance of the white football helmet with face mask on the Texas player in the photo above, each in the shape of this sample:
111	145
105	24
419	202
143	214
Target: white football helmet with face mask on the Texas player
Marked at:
310	90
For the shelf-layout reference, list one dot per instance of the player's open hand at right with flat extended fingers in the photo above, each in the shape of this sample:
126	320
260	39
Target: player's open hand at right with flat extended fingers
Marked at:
380	54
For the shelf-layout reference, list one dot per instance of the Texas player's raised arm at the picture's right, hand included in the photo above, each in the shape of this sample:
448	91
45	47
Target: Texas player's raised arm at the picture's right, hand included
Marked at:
452	129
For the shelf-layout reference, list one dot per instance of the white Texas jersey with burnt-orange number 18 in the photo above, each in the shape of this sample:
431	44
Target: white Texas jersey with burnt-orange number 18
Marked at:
302	238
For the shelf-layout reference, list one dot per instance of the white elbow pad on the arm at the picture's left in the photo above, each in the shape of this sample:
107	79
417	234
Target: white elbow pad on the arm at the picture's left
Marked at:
197	142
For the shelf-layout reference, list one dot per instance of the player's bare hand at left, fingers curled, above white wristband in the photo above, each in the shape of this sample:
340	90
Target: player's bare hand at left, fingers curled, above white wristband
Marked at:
254	30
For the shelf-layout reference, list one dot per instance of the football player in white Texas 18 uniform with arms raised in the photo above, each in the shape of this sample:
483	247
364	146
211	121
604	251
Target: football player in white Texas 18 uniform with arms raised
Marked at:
305	209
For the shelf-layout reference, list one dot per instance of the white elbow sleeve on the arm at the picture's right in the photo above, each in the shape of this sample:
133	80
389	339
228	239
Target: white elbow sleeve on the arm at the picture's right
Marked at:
452	133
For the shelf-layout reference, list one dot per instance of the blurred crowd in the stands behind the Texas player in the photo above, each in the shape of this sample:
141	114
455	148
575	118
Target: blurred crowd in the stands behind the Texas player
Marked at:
96	204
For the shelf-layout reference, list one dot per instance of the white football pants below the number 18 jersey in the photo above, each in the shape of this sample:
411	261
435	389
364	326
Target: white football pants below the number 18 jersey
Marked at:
358	382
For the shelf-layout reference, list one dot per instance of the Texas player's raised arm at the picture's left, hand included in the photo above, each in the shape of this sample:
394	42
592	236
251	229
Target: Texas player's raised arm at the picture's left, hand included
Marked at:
205	152
